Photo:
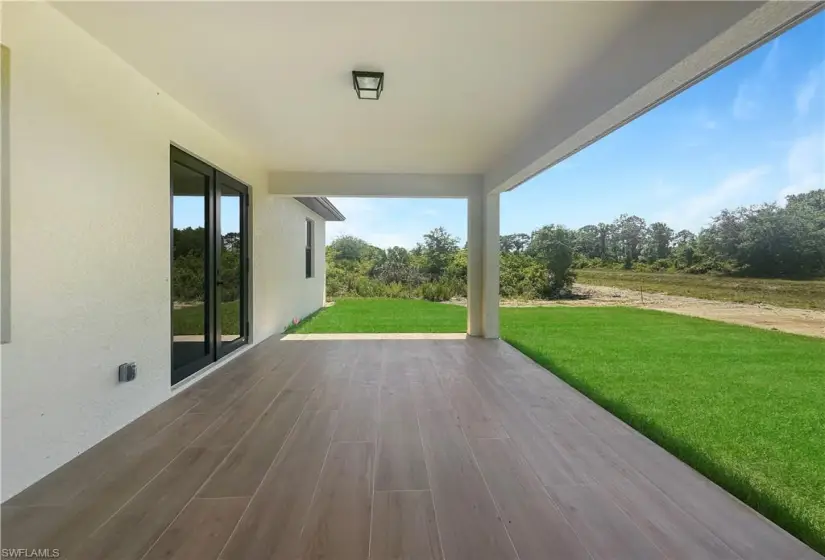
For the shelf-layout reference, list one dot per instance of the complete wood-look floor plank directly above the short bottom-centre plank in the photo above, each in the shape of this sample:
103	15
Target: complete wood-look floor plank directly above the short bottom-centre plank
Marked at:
400	464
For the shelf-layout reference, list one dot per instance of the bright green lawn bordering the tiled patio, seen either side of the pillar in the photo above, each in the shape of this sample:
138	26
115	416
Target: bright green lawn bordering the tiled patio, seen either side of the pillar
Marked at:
744	406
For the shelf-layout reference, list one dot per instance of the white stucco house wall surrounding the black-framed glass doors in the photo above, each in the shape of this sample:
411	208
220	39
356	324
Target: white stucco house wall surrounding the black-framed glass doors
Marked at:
90	253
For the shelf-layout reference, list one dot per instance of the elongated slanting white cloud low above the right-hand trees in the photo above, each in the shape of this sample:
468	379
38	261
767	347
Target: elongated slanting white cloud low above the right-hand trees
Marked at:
695	211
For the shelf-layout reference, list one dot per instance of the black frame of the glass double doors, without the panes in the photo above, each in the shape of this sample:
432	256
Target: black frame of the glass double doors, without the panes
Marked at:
214	240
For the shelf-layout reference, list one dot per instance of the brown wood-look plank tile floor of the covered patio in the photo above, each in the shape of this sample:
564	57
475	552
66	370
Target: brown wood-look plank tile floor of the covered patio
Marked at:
384	447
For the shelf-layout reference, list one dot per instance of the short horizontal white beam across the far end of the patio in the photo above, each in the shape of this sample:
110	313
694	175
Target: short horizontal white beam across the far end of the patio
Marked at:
413	185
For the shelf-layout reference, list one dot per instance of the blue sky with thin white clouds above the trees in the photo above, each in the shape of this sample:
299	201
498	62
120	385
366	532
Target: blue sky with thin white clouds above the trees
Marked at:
751	133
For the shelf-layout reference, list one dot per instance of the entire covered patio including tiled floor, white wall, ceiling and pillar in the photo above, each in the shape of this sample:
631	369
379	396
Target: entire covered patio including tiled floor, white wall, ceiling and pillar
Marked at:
449	447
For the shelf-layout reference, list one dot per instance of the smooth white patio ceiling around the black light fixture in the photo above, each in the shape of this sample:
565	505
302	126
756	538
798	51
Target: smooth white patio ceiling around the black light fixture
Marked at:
465	82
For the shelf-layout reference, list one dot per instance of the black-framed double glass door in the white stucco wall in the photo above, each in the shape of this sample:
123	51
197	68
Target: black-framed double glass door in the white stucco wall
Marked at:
209	264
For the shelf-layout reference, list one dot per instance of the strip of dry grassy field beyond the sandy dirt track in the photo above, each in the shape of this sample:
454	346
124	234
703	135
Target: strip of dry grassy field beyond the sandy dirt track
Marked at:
803	294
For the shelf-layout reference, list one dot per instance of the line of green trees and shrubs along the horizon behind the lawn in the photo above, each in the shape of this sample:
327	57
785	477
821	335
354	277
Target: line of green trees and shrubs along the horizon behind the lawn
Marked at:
766	240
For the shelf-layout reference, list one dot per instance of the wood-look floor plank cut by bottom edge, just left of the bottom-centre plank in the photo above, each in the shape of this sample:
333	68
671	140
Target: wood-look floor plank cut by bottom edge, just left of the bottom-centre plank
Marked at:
338	523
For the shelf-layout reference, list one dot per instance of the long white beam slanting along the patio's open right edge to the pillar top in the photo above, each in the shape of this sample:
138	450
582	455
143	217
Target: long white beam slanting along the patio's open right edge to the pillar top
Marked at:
563	138
